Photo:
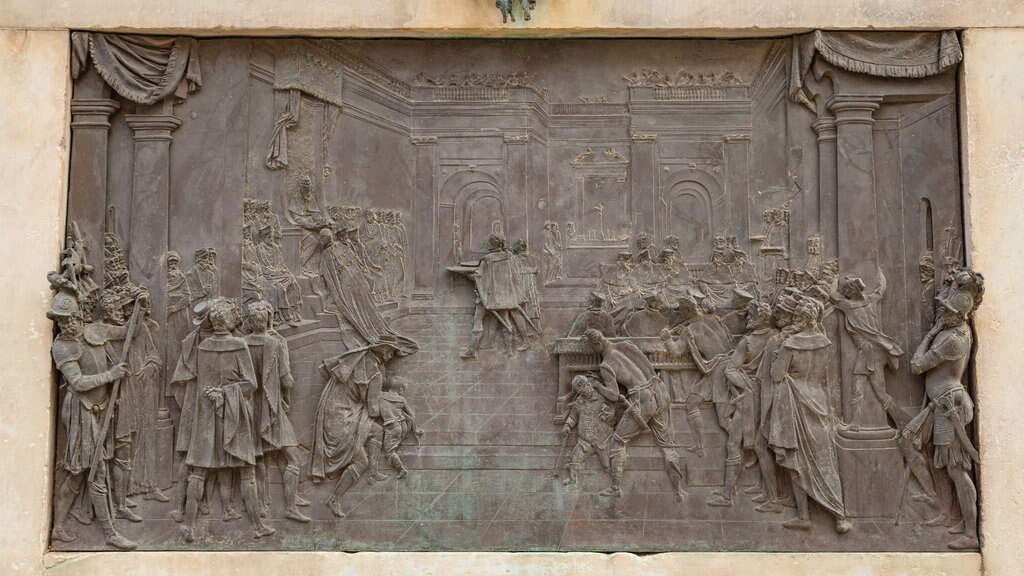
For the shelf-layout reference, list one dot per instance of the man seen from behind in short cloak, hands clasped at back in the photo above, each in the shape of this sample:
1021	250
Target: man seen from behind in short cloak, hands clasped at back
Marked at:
218	435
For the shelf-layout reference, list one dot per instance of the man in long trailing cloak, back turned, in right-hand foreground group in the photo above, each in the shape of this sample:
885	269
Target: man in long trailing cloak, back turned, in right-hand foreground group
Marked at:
802	419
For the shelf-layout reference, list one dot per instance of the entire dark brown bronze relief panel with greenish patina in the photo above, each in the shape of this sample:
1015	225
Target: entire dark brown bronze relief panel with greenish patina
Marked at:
635	296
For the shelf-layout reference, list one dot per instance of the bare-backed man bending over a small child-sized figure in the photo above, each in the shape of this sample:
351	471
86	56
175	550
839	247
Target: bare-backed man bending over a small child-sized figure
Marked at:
648	405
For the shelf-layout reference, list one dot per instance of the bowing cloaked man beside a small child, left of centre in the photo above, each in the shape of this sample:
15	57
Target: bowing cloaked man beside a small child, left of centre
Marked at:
348	417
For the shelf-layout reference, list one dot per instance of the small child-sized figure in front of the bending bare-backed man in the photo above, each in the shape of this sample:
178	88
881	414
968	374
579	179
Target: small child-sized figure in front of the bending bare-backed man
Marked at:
594	421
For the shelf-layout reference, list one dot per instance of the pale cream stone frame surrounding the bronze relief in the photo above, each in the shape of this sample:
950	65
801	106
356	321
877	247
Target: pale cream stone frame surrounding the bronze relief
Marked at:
34	49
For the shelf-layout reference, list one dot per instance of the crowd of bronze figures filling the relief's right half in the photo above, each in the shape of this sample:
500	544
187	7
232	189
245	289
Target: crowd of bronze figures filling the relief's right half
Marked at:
769	368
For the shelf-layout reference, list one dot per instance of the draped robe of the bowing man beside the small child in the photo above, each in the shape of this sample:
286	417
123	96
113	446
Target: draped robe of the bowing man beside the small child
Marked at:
344	417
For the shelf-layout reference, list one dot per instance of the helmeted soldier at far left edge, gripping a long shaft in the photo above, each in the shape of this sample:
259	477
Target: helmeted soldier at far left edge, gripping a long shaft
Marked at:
87	416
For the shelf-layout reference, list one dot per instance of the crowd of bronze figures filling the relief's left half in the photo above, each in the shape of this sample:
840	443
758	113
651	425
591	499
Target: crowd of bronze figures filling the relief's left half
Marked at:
230	375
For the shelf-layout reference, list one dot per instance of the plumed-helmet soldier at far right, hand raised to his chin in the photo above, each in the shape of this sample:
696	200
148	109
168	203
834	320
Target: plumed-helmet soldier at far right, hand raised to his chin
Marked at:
944	357
